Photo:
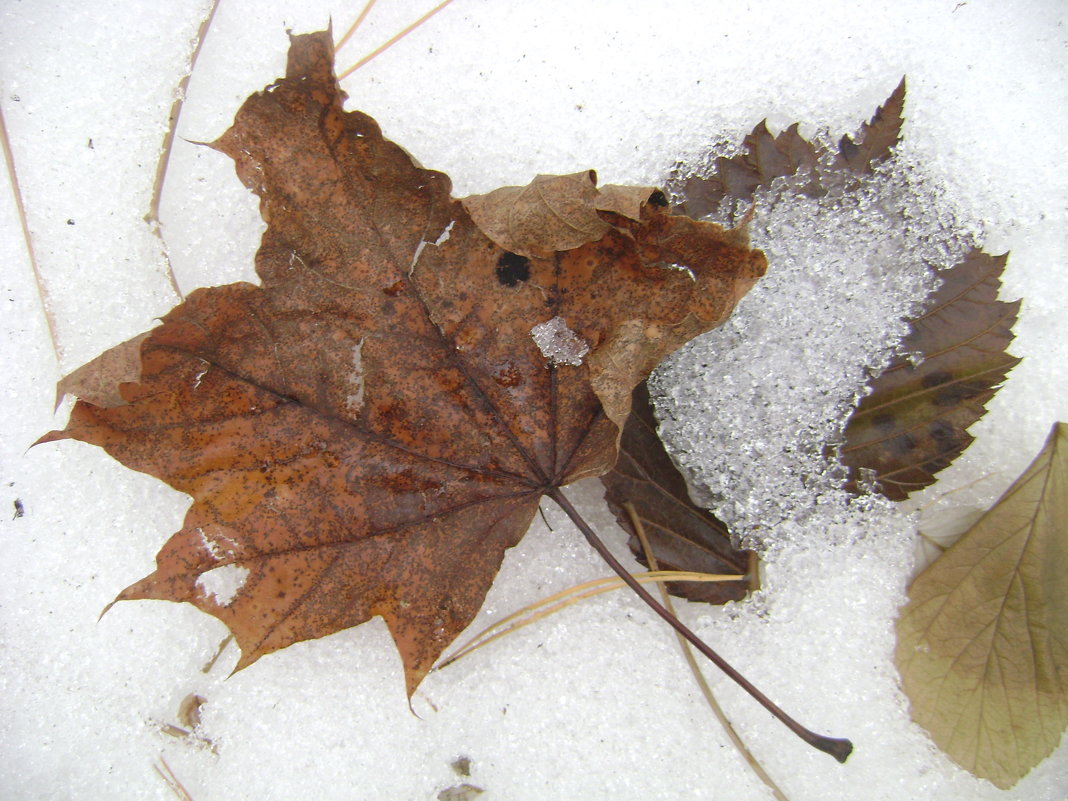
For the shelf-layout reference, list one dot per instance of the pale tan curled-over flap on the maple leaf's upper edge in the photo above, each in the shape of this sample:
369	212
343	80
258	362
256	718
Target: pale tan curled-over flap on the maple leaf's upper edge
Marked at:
553	213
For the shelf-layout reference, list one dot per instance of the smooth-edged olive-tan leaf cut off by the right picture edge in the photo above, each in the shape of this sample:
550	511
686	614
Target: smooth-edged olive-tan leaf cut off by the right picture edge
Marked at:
983	642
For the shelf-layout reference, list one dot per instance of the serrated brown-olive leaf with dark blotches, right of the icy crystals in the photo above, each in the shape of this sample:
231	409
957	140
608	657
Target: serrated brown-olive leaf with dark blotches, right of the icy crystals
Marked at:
915	421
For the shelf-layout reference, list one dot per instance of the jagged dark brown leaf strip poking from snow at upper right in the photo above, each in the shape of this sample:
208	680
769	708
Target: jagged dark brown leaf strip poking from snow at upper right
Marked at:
765	158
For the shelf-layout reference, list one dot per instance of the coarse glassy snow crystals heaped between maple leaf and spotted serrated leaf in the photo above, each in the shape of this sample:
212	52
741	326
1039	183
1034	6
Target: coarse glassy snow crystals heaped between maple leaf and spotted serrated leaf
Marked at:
783	373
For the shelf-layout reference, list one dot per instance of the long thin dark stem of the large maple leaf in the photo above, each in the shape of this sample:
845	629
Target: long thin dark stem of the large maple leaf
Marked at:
840	749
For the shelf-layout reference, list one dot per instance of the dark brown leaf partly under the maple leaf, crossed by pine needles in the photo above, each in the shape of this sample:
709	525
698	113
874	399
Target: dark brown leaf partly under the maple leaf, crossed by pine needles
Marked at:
682	536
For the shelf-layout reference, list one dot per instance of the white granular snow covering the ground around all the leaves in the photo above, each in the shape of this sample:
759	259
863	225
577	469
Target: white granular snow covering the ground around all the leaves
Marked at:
594	703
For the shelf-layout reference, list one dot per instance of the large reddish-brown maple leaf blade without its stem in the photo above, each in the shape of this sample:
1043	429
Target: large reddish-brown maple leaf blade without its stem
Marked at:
369	431
